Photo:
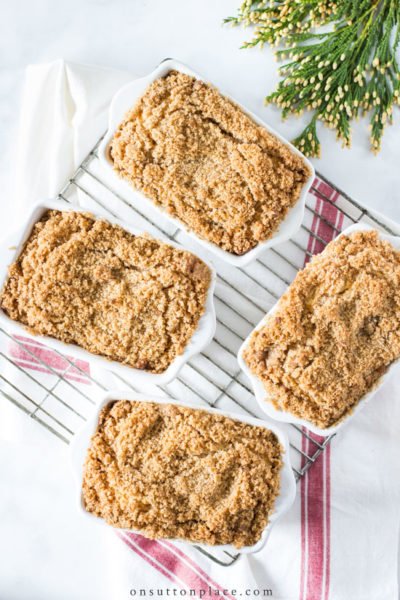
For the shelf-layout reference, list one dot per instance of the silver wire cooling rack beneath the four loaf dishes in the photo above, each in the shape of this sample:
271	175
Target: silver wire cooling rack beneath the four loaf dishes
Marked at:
27	367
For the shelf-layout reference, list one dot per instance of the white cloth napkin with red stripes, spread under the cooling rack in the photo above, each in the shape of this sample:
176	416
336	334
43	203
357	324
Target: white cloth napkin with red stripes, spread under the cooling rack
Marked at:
340	539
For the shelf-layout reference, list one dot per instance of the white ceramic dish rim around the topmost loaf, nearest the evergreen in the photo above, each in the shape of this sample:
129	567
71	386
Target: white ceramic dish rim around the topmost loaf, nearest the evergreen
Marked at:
127	96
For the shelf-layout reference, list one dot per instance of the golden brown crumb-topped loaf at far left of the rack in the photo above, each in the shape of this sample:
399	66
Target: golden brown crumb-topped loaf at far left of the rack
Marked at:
127	298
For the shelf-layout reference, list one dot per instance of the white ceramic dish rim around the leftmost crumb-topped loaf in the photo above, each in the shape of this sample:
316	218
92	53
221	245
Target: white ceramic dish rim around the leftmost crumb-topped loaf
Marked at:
200	339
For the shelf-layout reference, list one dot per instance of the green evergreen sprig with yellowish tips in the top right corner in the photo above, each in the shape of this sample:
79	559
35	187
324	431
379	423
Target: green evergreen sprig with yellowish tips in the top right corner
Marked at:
345	68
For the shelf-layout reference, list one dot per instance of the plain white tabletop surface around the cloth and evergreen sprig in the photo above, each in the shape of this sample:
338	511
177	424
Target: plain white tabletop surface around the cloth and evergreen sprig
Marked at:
46	551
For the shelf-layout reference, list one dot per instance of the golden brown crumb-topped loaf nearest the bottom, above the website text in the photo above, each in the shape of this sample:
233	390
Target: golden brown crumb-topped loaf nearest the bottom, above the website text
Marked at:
176	472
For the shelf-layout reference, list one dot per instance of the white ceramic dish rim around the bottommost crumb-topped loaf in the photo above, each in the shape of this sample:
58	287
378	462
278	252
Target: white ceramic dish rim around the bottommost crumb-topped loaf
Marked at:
81	443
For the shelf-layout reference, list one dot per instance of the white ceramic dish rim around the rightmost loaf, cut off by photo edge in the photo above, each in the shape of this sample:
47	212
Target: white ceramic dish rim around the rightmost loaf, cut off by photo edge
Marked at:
286	417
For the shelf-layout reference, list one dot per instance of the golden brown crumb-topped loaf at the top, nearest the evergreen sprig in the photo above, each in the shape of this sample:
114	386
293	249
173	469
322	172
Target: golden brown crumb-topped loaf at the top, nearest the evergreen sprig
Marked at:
199	156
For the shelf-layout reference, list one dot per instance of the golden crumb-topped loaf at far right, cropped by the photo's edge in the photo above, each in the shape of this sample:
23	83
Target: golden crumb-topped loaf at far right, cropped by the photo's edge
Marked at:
335	332
